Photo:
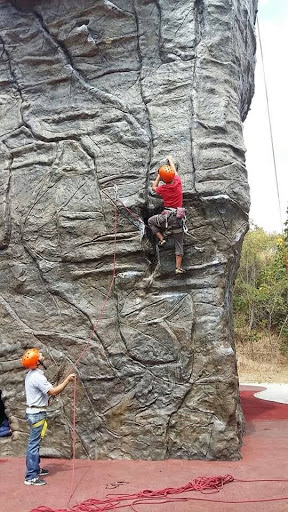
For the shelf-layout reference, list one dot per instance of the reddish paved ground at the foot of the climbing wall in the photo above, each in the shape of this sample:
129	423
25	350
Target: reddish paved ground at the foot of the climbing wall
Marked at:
265	456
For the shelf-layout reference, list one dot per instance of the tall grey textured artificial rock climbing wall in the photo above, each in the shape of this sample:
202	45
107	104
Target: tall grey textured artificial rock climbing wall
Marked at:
94	94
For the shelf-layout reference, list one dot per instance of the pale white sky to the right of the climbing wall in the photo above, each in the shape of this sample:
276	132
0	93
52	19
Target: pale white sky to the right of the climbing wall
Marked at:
265	212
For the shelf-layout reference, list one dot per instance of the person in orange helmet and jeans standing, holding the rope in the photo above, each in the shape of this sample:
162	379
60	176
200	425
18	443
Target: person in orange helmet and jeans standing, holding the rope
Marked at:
37	390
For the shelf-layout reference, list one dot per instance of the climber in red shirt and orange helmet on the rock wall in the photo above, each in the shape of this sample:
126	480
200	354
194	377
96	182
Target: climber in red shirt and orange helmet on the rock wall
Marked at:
173	213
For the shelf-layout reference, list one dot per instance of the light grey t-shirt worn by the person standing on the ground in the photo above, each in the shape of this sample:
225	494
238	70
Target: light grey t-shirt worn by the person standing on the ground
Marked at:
36	389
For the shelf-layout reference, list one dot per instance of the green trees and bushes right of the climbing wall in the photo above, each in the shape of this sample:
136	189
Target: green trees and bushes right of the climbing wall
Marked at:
261	288
